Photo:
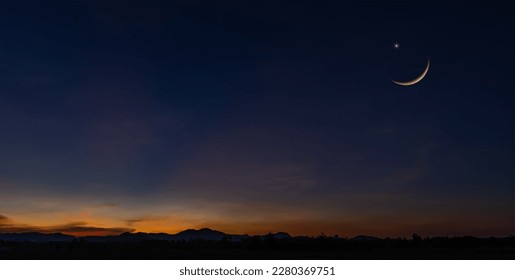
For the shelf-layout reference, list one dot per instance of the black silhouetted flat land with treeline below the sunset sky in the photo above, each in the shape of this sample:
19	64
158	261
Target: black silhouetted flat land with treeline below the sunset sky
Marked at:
267	248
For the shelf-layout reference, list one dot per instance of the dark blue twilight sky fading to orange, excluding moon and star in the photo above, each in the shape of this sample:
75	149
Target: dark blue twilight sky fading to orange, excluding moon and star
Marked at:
257	117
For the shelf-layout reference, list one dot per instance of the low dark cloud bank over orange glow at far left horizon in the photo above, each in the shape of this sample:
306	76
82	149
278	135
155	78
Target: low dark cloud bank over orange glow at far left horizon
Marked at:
75	228
